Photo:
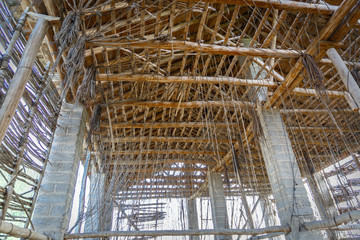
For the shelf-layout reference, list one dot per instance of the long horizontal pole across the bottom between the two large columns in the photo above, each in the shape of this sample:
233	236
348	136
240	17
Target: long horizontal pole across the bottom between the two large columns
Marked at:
274	229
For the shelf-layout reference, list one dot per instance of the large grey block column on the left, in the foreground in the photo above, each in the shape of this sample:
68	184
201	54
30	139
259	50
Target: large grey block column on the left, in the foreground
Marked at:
54	202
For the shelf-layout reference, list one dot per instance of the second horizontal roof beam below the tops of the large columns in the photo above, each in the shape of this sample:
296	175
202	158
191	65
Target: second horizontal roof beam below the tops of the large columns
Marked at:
167	139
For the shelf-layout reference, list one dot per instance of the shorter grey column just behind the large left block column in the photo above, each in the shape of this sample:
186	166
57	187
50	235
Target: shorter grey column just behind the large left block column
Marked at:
100	208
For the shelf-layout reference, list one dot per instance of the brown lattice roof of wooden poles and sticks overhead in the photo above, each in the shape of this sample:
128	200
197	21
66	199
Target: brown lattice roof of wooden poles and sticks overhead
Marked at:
177	82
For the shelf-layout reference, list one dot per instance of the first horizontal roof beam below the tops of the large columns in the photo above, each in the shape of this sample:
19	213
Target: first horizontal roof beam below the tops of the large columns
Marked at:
170	125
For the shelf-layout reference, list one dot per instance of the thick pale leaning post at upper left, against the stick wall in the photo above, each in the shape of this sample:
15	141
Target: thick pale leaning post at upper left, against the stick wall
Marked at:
23	72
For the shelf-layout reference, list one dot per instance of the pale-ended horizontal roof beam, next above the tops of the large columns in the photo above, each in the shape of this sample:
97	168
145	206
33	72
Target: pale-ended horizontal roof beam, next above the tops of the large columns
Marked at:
185	79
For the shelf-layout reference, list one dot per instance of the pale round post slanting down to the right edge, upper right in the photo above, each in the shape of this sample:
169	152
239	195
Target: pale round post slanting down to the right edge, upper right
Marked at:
346	78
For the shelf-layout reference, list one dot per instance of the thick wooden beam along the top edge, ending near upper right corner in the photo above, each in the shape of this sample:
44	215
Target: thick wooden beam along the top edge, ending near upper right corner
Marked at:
281	5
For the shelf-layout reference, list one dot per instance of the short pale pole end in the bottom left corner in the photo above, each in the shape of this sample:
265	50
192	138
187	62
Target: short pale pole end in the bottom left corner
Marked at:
15	231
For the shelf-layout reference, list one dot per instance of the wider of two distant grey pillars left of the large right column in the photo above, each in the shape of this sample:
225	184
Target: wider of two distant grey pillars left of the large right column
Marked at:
218	203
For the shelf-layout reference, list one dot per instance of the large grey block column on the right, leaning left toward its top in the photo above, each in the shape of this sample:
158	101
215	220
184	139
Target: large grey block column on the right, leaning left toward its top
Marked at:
286	183
